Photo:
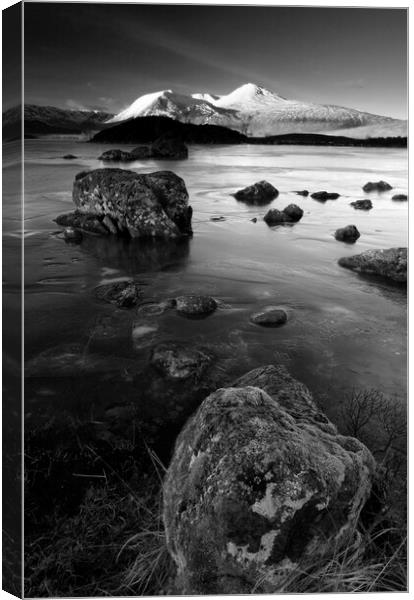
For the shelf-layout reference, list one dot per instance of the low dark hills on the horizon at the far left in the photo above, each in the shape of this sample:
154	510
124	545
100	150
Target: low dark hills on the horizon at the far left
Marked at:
47	120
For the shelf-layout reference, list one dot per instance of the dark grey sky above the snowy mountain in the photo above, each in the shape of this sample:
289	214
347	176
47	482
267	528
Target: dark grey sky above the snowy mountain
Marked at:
104	56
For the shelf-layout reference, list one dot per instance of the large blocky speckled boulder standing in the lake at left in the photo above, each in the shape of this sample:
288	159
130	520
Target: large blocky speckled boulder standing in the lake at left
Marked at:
145	206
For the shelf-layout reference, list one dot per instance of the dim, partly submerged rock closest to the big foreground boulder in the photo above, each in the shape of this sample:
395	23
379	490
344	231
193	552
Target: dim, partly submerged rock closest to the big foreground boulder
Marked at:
179	362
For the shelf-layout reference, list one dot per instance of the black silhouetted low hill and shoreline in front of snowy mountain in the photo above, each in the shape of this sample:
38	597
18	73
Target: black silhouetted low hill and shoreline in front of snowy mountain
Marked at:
143	130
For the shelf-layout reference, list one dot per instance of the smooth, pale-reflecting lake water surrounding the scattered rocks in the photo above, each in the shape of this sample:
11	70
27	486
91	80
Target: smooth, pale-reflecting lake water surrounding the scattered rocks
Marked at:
345	331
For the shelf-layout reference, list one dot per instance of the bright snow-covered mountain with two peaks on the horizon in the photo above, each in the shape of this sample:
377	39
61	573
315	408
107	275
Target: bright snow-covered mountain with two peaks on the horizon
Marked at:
258	112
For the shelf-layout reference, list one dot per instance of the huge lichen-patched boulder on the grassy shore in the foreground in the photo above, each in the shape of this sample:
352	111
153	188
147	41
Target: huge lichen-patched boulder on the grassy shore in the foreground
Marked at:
259	481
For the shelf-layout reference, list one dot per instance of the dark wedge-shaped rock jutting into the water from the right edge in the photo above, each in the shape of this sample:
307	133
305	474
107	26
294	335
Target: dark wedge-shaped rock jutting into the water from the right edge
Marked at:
390	263
